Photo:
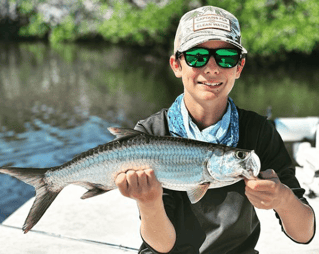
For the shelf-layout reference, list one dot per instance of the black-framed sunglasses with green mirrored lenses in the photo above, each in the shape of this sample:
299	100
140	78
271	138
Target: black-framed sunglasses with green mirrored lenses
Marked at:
199	57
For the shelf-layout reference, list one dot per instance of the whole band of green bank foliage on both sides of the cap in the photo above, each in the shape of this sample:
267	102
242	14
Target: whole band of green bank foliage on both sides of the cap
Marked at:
269	27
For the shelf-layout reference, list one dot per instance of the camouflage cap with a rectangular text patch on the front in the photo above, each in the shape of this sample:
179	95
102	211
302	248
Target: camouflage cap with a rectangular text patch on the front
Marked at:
204	24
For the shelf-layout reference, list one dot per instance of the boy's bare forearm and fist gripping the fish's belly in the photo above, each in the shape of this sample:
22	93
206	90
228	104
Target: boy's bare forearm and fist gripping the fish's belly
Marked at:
156	228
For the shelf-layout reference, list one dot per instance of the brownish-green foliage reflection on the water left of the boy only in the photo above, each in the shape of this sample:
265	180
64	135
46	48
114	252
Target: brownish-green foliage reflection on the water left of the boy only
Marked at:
79	80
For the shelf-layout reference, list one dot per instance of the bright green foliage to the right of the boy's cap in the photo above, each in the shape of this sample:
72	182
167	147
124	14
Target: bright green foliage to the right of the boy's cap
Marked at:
275	26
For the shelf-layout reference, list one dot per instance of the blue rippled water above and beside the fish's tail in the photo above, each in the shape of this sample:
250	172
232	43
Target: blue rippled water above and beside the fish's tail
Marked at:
43	145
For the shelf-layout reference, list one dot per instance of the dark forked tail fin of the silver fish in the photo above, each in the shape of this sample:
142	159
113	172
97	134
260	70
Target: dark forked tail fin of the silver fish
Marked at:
44	197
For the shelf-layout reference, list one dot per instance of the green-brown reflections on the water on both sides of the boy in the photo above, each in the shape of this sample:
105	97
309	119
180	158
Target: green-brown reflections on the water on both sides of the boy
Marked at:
73	82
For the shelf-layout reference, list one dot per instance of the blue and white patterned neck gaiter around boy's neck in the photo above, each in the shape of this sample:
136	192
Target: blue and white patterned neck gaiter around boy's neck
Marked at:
225	131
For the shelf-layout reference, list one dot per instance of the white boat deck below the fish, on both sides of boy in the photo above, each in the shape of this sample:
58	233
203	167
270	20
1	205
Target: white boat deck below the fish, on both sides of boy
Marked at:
109	223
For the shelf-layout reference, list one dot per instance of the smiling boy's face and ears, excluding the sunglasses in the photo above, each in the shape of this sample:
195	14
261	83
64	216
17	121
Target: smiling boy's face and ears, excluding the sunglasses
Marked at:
196	80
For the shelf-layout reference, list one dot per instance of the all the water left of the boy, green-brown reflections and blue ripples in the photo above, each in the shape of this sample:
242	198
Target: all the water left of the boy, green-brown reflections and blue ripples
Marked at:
56	103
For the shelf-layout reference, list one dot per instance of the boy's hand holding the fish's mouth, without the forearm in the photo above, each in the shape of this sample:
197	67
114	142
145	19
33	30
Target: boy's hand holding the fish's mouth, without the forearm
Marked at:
267	192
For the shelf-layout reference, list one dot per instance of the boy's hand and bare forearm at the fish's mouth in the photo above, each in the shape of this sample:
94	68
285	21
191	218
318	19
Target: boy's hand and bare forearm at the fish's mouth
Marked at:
297	218
